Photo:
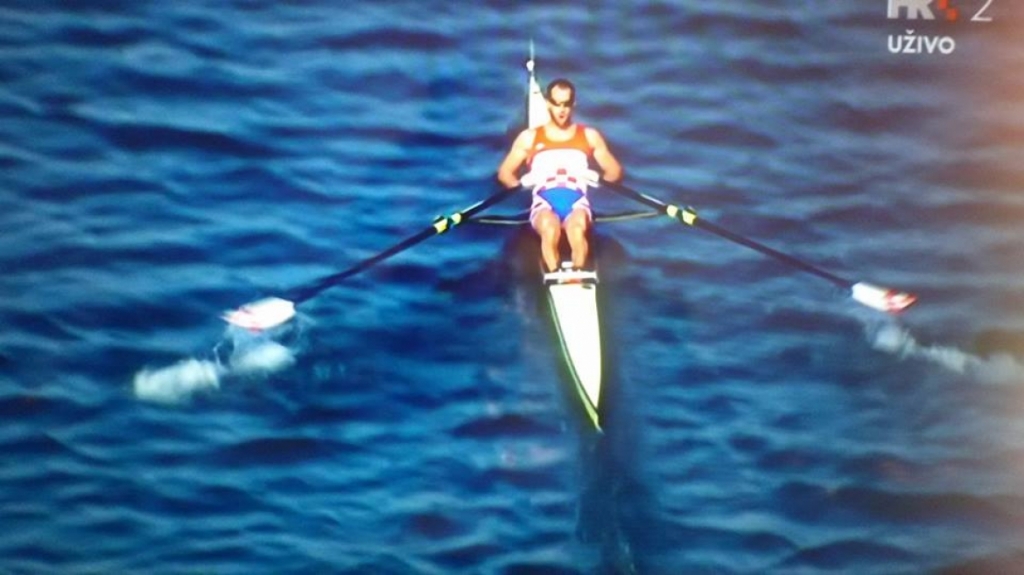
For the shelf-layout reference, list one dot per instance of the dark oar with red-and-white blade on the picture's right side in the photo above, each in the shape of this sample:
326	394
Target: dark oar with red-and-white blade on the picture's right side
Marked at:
875	297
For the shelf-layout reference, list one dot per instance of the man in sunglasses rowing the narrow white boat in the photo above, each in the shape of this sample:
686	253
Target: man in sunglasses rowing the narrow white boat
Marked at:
559	156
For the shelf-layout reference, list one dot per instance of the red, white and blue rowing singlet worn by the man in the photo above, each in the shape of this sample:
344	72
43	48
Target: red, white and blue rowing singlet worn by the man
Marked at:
560	166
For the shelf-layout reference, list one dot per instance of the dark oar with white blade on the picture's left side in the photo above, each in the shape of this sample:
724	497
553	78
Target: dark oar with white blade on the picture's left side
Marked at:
271	313
